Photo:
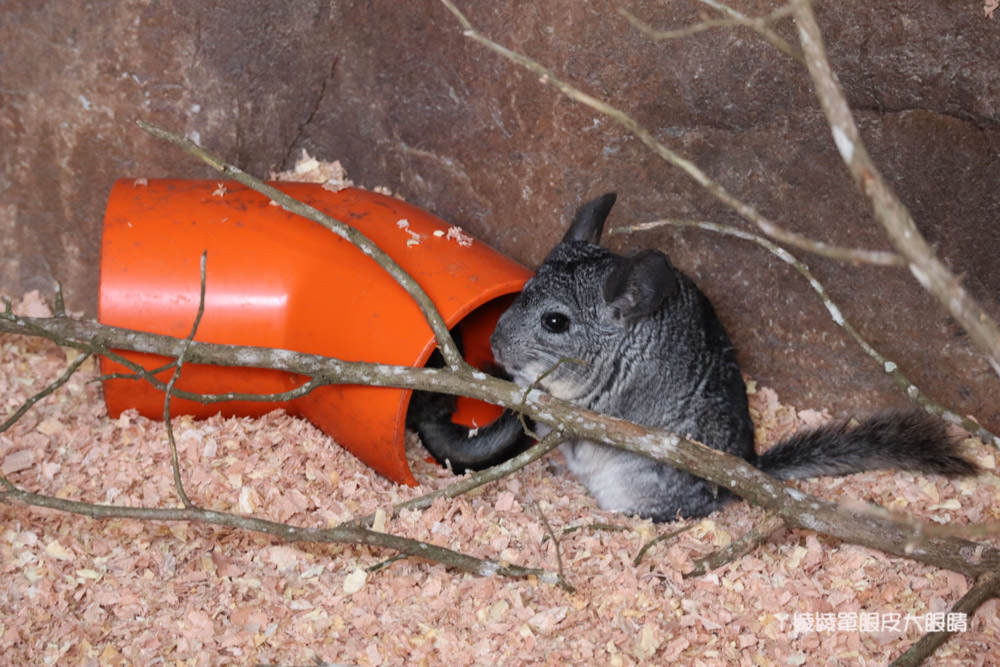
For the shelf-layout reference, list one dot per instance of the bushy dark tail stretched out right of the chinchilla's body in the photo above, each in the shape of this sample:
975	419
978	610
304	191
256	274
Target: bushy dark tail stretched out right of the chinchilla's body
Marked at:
900	440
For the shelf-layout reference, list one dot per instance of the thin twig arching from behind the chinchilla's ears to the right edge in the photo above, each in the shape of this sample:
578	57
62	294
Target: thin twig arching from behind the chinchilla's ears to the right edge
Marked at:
909	389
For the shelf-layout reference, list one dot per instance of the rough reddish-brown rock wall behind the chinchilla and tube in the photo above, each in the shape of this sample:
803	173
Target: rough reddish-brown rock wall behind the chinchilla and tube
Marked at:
403	99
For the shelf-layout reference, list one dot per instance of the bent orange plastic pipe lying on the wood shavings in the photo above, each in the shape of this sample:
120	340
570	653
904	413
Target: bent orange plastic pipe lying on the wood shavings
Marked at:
274	279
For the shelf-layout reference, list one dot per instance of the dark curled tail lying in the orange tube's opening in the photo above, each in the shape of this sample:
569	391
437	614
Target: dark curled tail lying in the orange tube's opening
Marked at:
464	449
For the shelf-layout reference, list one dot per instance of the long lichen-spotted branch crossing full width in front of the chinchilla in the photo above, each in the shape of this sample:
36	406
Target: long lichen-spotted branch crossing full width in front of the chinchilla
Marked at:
910	539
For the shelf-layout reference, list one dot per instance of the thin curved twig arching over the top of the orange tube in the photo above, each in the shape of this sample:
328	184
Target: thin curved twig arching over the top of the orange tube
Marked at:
453	358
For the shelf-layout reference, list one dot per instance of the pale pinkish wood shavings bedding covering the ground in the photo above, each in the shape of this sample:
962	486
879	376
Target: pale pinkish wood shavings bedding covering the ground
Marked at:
80	591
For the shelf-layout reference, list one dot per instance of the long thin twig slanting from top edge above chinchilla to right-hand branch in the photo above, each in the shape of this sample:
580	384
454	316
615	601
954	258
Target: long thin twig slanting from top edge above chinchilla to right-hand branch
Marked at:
645	136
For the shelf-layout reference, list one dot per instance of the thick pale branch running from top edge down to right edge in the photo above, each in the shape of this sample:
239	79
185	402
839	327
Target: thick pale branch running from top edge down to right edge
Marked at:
890	212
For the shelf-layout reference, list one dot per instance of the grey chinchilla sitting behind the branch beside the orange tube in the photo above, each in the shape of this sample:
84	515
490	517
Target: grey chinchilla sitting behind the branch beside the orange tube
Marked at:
633	337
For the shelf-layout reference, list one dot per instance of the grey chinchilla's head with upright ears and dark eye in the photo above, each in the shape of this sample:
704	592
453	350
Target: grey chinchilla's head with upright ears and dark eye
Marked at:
585	313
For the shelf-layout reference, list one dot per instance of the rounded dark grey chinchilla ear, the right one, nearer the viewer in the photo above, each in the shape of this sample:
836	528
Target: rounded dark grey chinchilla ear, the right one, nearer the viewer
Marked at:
639	284
